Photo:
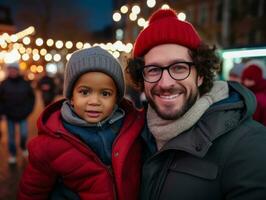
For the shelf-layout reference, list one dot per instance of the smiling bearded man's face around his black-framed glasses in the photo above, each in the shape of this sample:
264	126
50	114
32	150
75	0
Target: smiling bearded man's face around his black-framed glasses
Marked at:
171	98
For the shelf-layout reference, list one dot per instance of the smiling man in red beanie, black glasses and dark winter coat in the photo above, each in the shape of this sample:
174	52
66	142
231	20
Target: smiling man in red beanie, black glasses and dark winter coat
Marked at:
201	142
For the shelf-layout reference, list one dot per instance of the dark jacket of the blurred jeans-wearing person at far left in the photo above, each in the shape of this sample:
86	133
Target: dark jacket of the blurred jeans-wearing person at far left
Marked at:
16	98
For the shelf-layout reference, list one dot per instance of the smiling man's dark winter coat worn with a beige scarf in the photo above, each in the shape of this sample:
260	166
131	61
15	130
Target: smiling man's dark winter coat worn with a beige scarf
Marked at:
221	157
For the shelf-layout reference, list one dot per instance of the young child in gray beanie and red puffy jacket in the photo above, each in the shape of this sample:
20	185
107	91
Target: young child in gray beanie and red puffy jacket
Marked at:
89	142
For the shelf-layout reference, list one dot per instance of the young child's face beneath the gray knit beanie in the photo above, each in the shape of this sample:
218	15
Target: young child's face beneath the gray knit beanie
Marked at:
94	96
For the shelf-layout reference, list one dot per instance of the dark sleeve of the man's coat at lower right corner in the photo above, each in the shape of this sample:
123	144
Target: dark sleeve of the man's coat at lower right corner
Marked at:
245	170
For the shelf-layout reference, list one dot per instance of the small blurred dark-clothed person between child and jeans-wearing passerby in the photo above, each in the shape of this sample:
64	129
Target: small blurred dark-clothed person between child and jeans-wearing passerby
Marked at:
47	86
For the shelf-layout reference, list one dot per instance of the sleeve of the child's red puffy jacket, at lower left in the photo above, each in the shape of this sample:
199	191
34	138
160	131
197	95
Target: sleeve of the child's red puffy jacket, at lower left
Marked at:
38	178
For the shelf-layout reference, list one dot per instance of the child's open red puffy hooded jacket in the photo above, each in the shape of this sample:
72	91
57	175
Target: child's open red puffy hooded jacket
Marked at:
57	155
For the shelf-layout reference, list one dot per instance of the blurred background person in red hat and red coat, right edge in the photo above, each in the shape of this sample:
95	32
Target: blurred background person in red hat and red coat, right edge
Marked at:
253	77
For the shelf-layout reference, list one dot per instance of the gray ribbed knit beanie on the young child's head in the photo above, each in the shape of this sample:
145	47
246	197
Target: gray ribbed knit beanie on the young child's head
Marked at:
93	59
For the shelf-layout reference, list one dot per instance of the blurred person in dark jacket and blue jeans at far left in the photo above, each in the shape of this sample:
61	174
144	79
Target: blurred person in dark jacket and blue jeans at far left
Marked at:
16	102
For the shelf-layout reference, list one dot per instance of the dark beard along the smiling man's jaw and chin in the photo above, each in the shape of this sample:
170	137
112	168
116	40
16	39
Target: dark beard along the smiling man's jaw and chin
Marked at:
180	112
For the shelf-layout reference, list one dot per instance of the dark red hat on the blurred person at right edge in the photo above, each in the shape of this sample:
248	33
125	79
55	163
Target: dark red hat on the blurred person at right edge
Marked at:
252	72
